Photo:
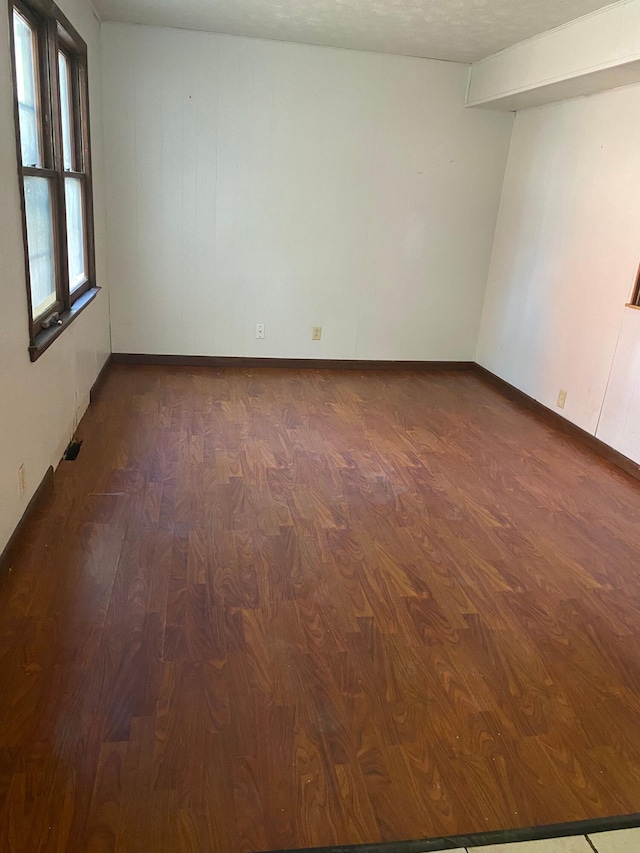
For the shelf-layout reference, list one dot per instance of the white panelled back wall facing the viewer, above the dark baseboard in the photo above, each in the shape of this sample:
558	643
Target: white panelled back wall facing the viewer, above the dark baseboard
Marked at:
262	182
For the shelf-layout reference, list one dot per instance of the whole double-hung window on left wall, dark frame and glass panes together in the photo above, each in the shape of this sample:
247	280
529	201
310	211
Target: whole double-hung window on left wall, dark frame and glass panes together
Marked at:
54	167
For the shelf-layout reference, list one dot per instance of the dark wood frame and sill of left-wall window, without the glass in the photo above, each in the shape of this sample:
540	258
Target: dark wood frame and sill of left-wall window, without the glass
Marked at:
54	35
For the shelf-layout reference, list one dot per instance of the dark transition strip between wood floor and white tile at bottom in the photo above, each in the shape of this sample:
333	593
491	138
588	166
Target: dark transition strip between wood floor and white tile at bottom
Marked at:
480	839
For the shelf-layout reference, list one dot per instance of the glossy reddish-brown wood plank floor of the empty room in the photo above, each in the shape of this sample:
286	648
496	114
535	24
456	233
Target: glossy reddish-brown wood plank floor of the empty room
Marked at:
281	608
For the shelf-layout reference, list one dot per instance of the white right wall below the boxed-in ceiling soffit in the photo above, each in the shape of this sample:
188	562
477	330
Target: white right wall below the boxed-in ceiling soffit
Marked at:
564	262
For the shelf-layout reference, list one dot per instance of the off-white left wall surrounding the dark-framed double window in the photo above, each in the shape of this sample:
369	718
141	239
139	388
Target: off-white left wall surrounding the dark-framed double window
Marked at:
41	402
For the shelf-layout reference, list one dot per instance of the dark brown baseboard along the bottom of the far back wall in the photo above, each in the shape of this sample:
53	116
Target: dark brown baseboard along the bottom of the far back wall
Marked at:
299	363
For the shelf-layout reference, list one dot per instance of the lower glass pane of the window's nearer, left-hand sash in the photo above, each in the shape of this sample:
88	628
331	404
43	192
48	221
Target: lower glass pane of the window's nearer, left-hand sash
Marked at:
37	196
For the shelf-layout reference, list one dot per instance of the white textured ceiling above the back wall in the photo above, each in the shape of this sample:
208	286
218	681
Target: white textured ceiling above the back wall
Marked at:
459	30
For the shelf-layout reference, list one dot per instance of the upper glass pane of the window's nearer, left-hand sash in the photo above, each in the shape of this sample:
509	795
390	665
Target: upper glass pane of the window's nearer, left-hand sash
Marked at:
25	46
